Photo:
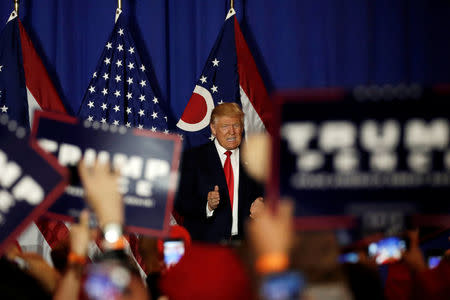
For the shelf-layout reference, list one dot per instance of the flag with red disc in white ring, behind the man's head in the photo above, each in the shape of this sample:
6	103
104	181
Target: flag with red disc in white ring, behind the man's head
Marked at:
229	75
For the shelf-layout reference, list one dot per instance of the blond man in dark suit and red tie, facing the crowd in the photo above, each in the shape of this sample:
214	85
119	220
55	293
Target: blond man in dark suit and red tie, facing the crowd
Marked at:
215	193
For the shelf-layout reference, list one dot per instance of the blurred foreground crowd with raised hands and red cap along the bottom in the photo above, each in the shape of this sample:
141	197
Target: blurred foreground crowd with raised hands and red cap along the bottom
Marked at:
273	262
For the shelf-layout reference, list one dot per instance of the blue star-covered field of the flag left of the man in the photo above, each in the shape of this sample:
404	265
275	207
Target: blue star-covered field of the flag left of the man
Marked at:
119	92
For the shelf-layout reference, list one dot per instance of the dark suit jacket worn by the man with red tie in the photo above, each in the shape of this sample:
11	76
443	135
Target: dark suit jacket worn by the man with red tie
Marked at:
201	170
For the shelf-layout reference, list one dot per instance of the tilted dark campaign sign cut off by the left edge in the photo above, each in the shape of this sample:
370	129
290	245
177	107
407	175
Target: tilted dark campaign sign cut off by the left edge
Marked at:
30	181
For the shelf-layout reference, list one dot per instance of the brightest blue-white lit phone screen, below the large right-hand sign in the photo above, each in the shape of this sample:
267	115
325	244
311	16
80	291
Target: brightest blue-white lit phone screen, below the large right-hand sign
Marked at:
387	250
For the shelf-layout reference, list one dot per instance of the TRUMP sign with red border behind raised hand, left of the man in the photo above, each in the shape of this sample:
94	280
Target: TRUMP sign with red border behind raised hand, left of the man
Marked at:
148	163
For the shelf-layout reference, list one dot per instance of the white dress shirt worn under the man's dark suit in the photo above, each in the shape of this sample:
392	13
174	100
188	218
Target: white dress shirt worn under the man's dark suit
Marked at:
234	157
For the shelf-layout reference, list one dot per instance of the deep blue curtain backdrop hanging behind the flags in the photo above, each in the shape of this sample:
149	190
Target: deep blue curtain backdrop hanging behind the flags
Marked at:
296	43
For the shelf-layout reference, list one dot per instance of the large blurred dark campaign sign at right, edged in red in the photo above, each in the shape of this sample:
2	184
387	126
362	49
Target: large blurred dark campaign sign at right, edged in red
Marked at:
345	160
